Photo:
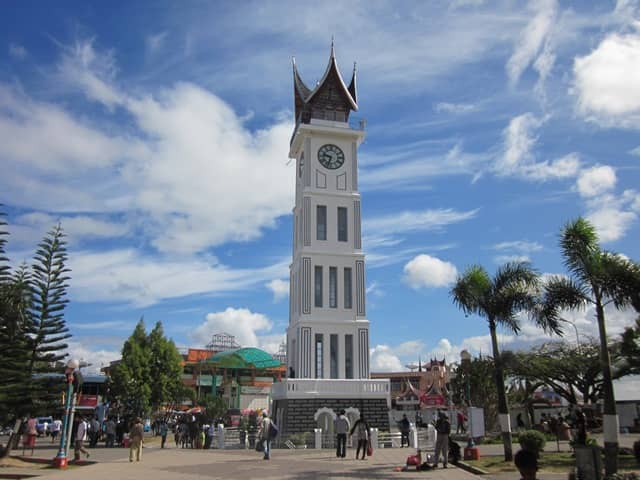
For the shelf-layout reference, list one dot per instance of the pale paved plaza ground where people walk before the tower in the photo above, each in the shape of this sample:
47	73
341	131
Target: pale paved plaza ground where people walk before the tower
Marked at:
176	463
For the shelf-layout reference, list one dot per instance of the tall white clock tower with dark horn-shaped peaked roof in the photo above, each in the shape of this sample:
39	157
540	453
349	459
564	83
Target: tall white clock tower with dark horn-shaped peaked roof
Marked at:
328	333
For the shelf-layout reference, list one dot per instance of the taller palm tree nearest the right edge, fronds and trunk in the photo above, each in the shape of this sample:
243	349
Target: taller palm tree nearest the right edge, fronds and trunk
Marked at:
598	278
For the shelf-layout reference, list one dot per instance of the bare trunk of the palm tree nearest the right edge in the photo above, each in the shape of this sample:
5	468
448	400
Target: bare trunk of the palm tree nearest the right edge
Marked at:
610	420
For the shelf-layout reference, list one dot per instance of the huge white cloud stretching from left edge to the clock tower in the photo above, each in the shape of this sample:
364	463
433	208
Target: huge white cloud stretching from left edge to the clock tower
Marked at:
233	183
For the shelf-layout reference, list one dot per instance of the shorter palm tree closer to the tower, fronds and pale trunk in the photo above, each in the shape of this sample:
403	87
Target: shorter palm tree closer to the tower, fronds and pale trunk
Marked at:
513	289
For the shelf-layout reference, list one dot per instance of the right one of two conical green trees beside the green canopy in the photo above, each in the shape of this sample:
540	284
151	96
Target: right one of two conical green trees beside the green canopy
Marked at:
165	368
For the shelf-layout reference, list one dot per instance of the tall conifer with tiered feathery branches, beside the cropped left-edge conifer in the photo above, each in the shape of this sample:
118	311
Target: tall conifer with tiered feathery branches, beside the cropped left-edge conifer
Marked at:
47	329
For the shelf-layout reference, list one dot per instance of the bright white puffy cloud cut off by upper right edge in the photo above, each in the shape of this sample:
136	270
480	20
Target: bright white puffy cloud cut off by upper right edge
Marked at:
607	81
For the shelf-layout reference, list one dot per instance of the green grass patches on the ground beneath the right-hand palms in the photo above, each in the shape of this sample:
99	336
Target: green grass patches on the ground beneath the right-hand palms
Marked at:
550	462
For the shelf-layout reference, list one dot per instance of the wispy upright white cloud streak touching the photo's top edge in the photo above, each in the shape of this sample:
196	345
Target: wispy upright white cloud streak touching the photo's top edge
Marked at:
531	40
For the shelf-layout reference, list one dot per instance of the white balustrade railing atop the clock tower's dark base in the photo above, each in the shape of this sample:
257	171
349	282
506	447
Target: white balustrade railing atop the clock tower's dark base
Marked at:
304	387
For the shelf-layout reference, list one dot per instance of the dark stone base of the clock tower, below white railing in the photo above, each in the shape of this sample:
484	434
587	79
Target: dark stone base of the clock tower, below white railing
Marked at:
301	415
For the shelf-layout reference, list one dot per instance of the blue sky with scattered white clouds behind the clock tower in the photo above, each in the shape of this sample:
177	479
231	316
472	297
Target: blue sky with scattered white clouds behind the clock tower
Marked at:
157	134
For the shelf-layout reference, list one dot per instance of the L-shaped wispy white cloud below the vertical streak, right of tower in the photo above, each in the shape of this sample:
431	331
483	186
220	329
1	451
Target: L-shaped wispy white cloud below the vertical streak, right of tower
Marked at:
518	158
